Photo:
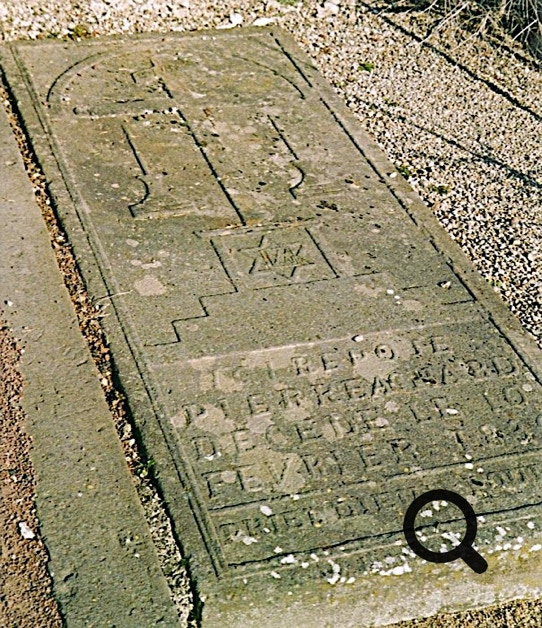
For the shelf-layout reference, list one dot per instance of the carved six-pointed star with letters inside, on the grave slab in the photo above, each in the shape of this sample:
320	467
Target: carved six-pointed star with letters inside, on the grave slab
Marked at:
281	259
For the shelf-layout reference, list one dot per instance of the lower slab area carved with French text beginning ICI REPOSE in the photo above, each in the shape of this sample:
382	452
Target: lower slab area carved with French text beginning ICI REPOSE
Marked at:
299	446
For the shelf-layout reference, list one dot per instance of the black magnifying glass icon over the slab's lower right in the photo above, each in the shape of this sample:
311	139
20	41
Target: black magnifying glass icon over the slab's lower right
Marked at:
464	550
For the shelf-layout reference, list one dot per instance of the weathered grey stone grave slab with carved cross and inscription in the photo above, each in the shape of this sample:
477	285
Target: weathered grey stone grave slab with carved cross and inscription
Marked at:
304	349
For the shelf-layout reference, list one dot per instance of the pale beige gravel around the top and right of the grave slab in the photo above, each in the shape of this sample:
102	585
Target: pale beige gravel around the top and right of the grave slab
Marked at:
459	117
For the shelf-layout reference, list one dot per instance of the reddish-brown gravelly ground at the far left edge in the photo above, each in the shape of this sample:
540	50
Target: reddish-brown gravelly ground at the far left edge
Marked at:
25	584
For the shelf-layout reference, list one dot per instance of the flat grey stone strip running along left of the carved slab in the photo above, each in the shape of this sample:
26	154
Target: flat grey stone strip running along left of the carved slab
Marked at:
104	566
